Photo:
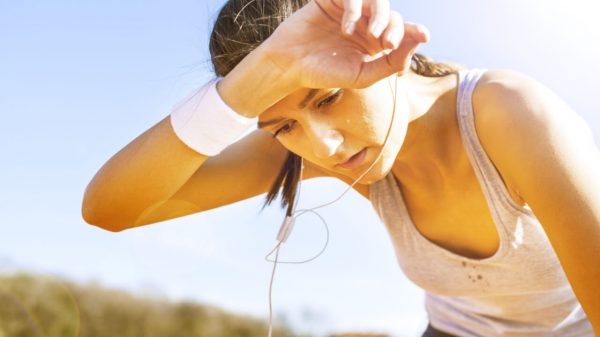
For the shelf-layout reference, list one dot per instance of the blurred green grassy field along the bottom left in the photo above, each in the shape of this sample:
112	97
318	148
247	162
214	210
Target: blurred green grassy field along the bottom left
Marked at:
33	305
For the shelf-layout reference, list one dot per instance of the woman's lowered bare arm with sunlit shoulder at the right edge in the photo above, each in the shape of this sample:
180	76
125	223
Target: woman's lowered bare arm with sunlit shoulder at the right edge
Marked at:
548	152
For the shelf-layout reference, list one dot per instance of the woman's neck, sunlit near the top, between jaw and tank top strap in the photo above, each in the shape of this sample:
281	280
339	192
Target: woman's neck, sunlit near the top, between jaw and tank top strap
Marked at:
431	103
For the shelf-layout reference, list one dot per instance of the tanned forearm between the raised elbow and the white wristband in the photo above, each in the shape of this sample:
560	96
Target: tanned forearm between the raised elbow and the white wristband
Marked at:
144	173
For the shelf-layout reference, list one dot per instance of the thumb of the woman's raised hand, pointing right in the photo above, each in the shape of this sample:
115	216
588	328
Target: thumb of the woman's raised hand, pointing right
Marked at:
395	62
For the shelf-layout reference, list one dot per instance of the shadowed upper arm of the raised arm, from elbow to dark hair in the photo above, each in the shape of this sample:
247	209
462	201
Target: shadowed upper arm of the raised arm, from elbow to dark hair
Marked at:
243	170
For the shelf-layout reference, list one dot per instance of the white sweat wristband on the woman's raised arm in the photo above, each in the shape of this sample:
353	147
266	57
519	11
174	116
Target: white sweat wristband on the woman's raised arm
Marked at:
206	124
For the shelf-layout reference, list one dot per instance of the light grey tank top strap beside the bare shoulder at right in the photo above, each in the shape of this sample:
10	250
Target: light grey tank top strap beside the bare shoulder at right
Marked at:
489	178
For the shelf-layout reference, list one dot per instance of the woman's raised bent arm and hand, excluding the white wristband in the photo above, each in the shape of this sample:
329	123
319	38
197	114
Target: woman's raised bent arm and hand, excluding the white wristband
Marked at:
157	177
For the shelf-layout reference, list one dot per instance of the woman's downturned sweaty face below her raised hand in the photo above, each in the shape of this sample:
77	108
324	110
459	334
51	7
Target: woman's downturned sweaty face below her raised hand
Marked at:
329	126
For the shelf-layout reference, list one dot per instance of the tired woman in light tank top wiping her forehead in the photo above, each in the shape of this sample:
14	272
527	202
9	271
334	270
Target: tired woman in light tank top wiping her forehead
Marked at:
486	181
